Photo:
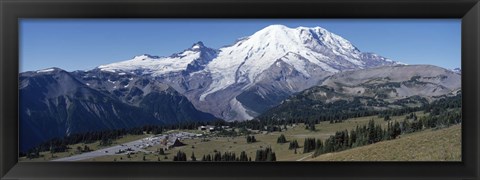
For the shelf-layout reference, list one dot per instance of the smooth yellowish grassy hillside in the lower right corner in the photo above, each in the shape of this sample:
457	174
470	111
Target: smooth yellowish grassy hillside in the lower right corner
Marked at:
428	145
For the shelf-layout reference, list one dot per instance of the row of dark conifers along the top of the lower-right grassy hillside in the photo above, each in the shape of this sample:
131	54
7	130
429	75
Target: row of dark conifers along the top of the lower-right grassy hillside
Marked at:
372	133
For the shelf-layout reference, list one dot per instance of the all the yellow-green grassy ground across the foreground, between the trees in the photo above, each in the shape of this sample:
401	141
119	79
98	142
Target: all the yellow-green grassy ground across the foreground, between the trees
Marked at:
324	130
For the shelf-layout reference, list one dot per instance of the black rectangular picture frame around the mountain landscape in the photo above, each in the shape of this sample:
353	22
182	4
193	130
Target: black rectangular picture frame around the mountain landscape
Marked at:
12	10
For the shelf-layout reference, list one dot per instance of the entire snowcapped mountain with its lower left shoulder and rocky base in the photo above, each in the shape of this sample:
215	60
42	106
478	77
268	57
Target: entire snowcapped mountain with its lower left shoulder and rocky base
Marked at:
257	72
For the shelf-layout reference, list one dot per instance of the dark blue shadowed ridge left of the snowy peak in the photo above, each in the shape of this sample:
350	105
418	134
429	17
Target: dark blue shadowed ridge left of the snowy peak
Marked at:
55	103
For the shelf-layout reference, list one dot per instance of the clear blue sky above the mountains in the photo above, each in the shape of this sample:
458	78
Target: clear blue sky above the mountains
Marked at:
82	44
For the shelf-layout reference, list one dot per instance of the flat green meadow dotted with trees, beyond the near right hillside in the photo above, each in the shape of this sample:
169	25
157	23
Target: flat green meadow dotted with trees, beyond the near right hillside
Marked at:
238	144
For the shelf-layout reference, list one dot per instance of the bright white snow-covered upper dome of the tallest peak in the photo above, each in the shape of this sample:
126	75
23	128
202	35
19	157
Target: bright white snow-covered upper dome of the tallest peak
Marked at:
300	48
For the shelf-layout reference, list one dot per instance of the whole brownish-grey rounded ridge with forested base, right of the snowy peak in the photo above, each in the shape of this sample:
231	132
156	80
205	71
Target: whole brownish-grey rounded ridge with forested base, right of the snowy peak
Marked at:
385	90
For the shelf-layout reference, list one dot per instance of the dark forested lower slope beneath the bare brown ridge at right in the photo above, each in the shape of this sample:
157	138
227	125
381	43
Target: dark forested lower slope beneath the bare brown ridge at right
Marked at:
317	111
